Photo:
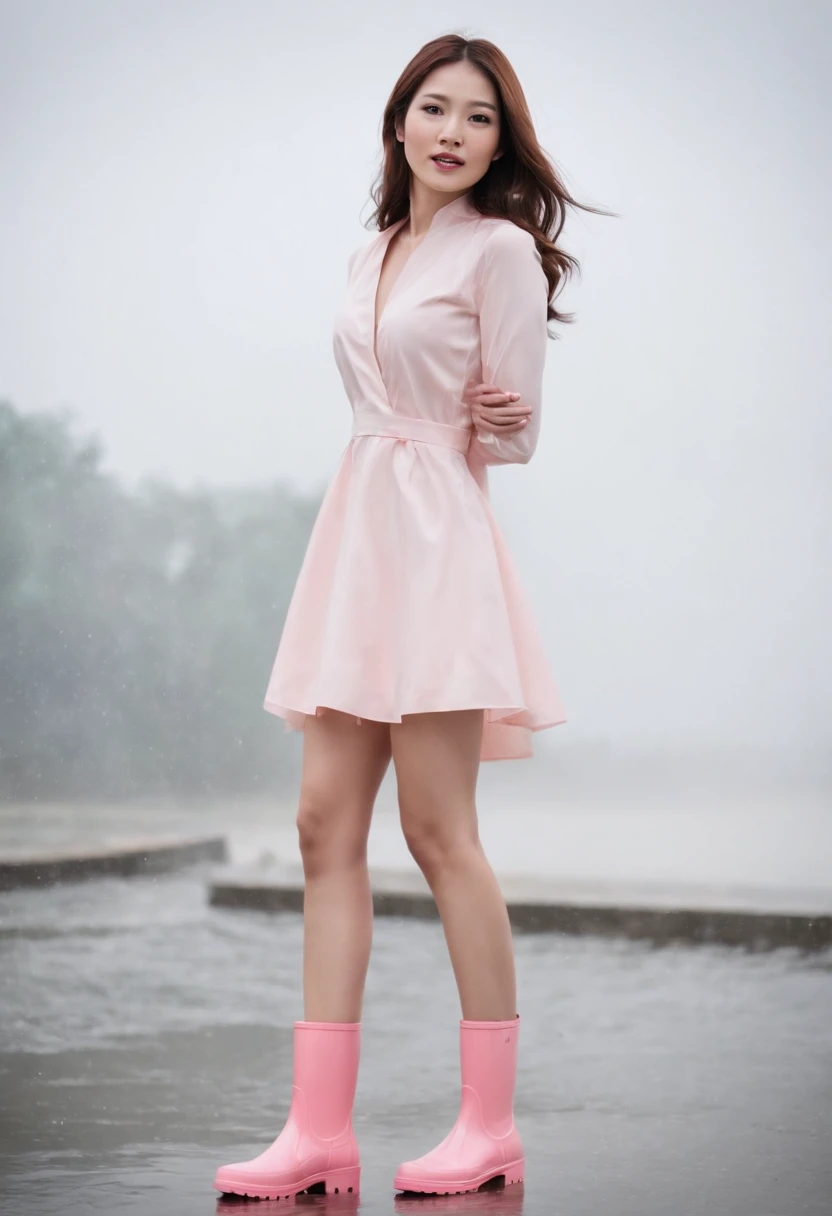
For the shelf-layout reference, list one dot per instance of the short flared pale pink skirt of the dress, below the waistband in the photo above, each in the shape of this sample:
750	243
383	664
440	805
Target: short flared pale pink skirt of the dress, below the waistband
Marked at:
409	603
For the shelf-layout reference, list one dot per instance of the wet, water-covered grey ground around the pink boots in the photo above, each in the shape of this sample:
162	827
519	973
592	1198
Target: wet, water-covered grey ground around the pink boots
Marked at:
147	1039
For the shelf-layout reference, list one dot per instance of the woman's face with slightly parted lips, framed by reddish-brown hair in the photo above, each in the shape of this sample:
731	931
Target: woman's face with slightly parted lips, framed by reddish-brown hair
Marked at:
454	114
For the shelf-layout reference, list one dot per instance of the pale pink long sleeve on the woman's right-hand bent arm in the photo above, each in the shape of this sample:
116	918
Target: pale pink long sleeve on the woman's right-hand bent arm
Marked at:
511	295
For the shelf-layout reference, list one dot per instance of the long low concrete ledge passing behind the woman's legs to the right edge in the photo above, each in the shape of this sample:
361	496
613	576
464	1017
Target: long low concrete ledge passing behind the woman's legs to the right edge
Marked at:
752	919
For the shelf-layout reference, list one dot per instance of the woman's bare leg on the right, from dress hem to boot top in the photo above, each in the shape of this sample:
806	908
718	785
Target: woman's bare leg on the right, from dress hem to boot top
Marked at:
437	761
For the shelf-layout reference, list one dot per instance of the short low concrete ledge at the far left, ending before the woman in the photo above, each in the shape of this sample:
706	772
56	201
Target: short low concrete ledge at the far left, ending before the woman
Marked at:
117	857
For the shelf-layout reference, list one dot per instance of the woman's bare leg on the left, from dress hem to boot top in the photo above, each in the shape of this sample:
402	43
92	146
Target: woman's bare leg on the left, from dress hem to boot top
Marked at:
344	767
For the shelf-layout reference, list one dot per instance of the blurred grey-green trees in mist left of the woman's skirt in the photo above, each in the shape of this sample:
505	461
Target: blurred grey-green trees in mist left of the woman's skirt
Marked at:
137	630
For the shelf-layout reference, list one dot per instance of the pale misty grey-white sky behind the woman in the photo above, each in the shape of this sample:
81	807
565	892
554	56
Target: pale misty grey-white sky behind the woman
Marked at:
182	184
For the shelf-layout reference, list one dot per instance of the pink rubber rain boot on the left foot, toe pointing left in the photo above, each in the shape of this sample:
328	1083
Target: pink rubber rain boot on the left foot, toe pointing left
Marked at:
318	1144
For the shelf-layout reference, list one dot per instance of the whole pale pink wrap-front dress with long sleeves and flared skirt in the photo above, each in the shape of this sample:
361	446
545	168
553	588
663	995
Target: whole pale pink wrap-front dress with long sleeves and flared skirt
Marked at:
408	600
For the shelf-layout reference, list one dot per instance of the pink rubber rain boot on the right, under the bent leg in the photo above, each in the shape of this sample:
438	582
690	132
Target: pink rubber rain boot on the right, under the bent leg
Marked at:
484	1145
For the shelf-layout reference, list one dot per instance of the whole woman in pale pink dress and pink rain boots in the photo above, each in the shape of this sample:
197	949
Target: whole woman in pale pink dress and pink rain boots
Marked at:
409	637
